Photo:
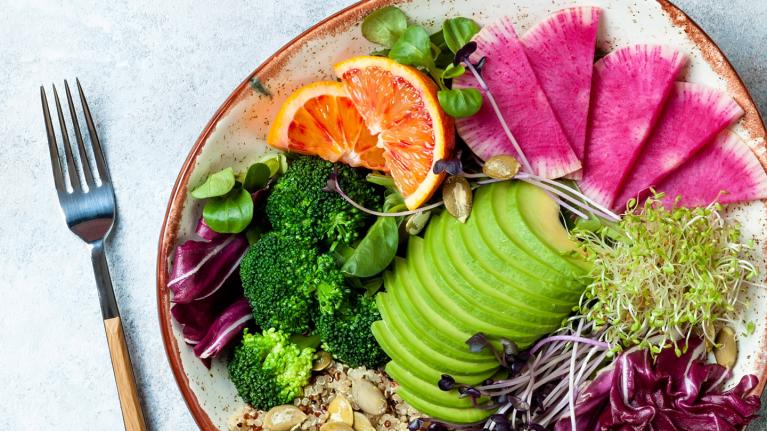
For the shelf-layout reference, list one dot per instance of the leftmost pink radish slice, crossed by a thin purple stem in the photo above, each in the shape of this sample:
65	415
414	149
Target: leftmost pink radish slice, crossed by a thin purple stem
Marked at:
522	102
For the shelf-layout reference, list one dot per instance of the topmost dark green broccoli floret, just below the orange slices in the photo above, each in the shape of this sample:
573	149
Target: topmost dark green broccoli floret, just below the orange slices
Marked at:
299	207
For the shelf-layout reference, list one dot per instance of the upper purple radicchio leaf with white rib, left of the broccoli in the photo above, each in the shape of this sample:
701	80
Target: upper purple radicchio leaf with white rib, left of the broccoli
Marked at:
200	268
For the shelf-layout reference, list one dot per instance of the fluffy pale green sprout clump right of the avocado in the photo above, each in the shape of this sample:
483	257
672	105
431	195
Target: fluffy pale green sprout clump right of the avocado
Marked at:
670	273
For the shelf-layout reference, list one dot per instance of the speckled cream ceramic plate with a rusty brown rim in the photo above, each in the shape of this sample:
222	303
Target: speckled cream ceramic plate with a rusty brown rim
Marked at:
245	115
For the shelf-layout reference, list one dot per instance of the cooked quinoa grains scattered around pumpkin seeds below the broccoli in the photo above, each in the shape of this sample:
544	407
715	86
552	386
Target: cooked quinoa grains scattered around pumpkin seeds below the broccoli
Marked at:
322	388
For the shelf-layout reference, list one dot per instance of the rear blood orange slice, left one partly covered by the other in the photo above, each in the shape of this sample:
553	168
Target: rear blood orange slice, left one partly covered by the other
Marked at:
319	119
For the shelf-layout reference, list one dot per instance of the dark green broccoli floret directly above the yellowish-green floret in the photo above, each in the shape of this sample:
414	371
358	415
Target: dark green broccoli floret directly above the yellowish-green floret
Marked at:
284	279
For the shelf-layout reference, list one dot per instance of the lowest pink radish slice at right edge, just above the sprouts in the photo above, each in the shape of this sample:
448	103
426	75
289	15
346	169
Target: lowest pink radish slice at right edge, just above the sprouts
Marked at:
726	171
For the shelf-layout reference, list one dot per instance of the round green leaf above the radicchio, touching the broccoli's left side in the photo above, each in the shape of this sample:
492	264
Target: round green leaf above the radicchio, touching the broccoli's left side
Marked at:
231	213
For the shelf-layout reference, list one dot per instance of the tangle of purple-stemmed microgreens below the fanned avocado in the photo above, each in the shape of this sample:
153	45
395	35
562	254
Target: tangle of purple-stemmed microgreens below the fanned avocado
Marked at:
542	382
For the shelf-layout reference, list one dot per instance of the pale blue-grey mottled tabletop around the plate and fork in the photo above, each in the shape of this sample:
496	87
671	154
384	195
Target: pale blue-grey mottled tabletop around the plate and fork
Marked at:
155	72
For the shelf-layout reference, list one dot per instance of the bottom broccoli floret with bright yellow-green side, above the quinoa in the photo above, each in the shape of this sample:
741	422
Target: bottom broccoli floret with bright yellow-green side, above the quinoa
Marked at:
269	370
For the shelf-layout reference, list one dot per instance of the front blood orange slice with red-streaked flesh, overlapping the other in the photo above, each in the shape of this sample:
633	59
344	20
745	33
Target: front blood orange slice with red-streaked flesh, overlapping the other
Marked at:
399	105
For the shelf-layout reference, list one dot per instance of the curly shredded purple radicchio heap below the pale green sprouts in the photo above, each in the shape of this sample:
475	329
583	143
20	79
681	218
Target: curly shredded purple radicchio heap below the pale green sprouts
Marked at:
674	393
